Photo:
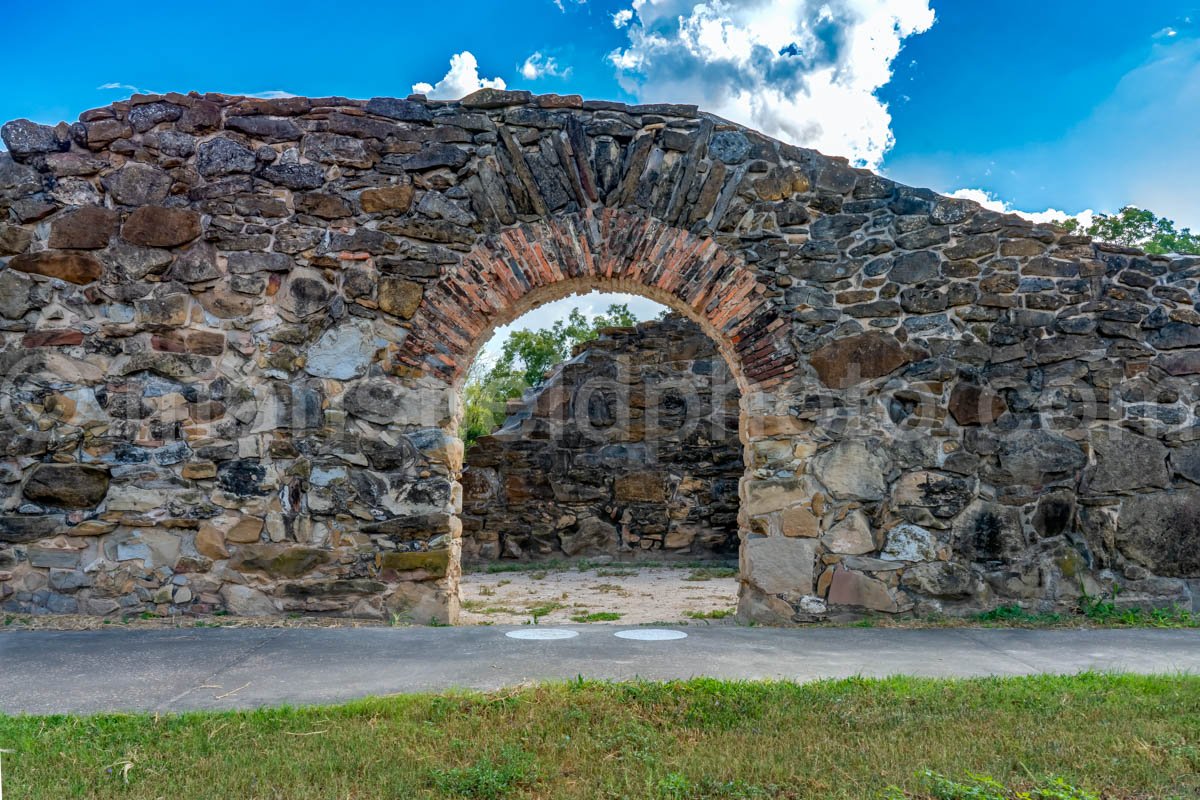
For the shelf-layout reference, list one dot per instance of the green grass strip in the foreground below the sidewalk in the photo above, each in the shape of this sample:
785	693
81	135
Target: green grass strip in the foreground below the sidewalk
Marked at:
1113	737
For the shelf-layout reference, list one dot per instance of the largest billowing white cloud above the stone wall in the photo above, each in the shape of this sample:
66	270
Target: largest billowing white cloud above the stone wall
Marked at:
805	71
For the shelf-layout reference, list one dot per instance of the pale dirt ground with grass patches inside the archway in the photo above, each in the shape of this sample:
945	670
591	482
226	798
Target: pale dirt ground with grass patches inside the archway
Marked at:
615	594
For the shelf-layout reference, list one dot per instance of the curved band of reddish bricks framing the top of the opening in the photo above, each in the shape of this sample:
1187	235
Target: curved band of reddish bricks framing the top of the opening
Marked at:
526	266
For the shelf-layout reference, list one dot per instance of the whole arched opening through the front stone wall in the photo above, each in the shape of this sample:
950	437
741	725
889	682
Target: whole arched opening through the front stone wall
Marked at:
613	479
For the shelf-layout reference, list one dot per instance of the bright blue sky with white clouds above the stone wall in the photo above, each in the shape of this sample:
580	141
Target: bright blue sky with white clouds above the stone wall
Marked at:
1065	105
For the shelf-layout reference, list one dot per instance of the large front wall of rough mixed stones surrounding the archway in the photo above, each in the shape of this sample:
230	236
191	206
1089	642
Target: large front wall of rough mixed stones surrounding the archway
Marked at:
235	330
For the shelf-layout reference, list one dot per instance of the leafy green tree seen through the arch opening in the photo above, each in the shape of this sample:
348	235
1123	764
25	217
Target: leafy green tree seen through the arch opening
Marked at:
526	357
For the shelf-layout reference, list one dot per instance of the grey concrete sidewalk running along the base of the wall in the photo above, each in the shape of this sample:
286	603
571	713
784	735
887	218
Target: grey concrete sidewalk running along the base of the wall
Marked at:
49	672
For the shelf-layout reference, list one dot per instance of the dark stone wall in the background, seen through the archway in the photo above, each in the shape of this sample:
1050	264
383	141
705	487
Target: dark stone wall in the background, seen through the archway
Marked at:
629	449
